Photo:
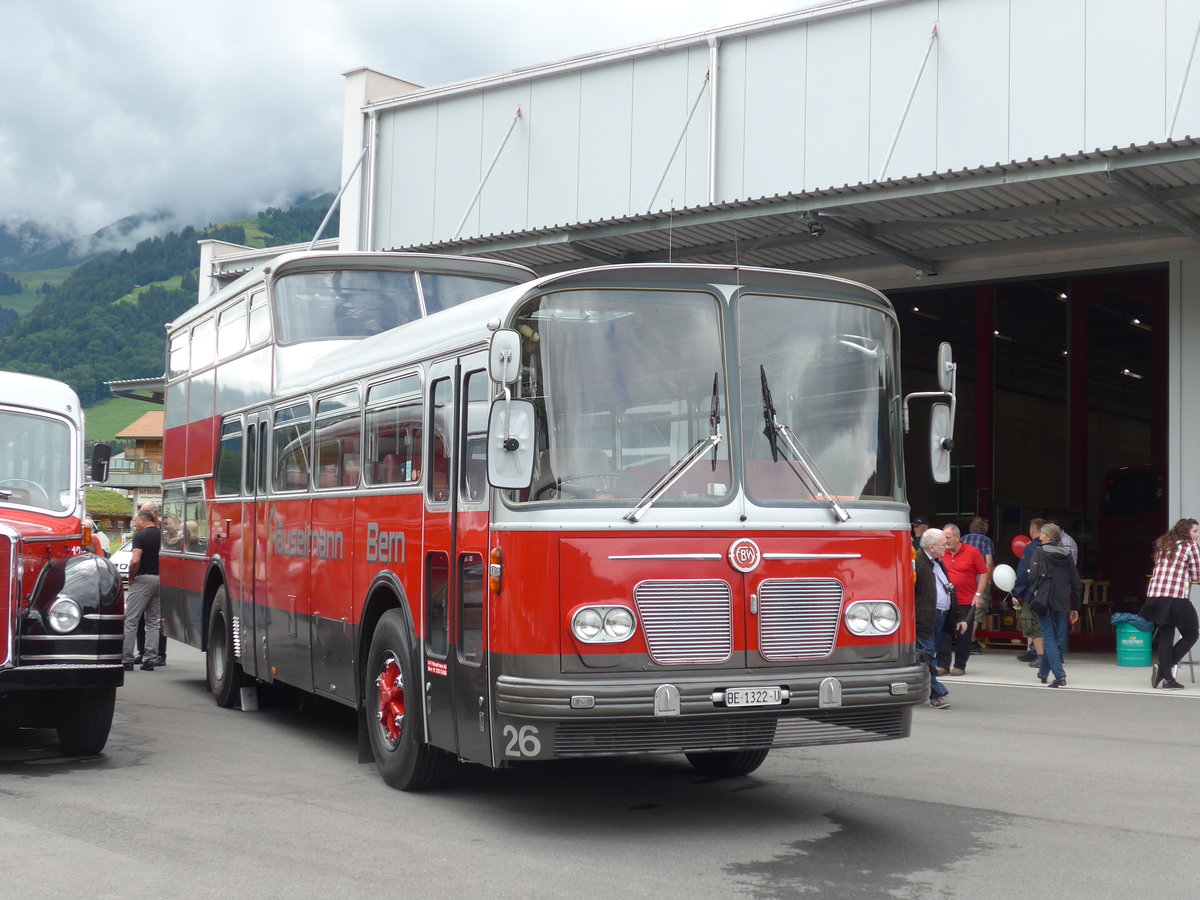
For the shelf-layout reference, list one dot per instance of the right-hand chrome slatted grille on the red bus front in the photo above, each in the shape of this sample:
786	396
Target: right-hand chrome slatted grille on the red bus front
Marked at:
799	619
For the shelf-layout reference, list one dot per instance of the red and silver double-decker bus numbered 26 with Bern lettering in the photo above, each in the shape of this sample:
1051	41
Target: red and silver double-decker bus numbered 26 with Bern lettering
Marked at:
620	511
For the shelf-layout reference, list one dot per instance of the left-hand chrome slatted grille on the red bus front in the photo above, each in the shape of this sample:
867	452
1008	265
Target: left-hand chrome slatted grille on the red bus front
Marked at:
687	621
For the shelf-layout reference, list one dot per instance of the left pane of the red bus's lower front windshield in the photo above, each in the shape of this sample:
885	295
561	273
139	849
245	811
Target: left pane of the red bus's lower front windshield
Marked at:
623	382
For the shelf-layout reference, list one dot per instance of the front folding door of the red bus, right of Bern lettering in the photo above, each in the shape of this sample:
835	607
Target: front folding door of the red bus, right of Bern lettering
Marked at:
455	639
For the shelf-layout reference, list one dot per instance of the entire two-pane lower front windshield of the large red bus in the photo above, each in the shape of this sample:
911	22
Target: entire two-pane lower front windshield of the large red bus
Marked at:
631	387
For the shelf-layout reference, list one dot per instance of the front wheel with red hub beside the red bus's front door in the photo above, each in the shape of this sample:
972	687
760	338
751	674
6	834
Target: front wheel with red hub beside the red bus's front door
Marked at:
394	724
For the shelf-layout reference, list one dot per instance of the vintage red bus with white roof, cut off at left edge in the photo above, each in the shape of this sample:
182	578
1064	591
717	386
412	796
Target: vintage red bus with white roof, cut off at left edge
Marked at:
62	609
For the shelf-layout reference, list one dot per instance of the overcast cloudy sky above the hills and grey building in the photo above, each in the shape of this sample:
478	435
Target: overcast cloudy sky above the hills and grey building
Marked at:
218	109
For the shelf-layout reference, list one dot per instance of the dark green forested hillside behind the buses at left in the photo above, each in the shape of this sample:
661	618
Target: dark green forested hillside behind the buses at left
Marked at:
91	331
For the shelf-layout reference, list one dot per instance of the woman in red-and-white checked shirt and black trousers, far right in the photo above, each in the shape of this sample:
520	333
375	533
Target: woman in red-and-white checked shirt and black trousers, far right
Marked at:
1177	566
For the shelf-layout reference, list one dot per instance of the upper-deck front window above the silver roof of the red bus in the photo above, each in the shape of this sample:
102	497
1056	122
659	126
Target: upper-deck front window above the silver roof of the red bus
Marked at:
359	303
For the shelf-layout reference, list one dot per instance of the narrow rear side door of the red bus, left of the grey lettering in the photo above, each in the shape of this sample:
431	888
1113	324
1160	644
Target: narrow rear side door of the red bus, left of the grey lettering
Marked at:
254	561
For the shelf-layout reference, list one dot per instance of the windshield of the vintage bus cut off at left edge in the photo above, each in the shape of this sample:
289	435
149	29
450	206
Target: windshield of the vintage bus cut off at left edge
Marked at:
35	461
